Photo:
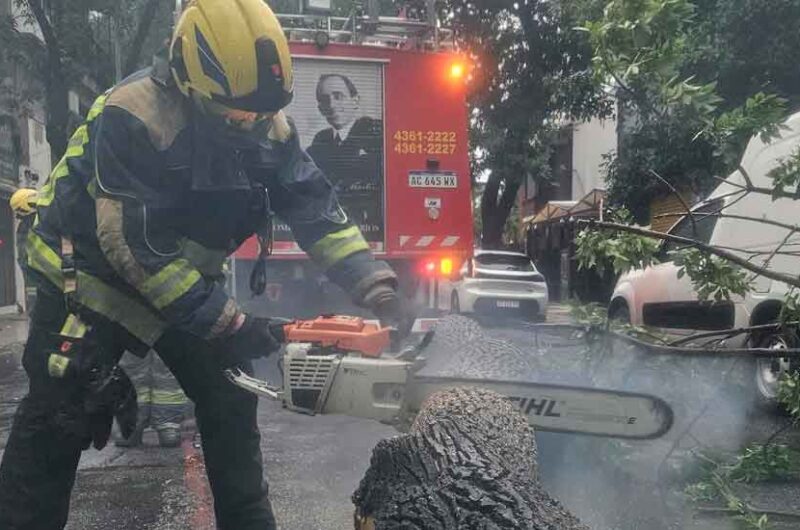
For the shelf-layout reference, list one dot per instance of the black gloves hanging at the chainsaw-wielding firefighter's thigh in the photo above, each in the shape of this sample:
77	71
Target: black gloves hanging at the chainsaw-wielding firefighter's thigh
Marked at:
110	394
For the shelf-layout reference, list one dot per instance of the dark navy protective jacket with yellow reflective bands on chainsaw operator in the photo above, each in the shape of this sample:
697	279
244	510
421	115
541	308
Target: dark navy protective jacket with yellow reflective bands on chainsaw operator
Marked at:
152	195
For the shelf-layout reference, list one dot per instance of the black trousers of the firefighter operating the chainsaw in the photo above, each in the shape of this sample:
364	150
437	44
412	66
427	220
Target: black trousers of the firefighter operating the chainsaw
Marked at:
42	453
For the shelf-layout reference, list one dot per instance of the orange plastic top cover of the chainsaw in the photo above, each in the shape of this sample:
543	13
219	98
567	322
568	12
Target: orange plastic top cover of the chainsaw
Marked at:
344	332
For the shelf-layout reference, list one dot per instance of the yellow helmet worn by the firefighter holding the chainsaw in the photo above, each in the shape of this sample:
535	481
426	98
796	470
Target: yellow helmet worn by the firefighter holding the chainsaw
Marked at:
234	53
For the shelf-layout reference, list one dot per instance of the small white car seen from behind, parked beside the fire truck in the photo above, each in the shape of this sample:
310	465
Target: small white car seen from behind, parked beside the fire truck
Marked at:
498	283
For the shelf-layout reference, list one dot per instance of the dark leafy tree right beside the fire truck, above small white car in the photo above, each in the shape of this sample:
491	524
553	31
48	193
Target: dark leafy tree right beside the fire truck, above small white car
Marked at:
531	71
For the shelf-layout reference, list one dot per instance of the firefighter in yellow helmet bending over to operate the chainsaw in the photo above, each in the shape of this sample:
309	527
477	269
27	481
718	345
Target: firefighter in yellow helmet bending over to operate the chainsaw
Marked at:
167	176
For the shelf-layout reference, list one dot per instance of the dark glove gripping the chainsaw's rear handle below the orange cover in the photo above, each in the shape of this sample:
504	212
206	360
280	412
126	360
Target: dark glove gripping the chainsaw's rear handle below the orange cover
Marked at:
256	337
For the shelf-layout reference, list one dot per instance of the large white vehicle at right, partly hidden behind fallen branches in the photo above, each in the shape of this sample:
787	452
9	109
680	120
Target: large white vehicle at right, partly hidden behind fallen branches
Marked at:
655	296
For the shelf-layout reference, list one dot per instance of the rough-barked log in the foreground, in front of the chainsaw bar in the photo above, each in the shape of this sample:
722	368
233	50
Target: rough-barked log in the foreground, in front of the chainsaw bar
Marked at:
468	462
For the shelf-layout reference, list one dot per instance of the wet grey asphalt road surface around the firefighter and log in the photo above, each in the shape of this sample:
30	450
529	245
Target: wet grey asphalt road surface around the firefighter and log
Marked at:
314	464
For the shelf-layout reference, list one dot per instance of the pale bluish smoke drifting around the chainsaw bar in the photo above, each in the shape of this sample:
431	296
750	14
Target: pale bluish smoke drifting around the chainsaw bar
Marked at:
611	483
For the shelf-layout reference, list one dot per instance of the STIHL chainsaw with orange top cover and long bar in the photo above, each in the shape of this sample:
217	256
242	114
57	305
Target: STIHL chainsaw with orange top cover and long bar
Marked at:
342	365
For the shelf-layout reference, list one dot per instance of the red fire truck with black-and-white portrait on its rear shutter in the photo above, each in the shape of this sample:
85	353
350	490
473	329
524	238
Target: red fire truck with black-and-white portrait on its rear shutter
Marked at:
380	106
